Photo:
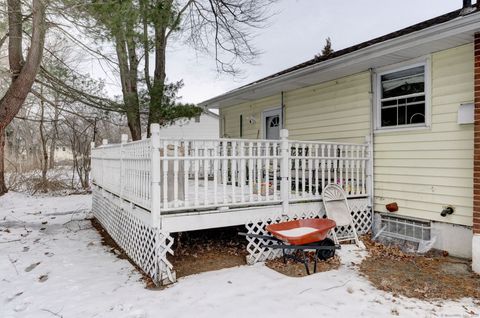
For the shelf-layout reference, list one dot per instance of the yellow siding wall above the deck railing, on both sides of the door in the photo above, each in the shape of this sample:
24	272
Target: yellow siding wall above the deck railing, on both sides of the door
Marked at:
336	111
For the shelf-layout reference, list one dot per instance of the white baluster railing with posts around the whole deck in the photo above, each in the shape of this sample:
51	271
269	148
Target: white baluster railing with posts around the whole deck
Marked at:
168	175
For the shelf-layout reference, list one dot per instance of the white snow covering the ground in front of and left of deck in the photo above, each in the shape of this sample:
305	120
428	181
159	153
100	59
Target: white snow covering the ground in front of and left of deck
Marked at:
60	269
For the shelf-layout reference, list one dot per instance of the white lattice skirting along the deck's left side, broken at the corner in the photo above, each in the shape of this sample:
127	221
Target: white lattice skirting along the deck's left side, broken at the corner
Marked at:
131	229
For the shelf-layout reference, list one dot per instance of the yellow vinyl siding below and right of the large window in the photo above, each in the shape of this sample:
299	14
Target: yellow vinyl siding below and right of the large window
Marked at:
427	169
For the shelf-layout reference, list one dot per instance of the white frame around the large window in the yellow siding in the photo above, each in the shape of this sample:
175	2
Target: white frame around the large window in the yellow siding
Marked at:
425	62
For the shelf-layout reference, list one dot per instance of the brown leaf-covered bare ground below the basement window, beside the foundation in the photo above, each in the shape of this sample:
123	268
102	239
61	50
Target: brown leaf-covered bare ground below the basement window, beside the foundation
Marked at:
431	276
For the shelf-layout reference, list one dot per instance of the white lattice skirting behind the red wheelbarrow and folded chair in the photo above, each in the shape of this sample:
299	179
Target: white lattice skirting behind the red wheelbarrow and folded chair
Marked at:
361	213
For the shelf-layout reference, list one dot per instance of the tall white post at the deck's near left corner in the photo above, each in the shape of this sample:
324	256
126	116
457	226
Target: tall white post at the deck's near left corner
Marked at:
155	177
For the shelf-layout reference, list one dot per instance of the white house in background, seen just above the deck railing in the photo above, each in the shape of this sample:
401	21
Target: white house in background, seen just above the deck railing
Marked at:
207	126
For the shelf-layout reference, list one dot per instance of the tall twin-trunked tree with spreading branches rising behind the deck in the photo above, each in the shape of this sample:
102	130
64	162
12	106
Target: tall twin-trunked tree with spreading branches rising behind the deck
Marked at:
144	27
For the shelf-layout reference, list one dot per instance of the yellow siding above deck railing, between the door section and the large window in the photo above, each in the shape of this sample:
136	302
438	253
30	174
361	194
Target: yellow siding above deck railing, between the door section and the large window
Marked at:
333	111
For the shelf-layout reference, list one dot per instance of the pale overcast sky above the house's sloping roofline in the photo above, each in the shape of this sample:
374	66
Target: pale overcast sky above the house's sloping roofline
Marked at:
296	34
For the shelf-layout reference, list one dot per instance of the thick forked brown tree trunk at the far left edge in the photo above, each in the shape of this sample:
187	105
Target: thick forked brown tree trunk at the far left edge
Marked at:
23	73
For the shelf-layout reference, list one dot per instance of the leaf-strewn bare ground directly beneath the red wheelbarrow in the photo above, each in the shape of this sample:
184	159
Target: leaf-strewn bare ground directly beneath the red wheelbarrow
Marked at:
296	269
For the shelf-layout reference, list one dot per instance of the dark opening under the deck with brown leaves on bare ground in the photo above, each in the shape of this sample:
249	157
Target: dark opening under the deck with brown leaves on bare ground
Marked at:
207	250
